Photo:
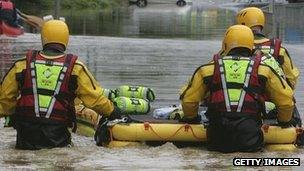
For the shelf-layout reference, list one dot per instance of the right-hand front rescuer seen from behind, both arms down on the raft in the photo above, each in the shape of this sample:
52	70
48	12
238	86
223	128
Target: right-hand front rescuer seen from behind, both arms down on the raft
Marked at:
236	84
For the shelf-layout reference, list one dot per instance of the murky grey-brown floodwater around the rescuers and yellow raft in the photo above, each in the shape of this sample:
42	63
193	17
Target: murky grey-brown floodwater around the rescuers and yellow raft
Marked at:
162	64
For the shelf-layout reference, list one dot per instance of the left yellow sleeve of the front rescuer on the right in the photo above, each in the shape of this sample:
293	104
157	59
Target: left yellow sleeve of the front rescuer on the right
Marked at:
195	91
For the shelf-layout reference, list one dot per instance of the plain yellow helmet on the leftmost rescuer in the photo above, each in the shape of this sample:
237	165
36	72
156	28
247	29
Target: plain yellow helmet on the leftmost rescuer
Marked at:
55	31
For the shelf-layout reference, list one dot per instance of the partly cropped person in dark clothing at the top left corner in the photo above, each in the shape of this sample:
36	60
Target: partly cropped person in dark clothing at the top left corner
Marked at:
8	13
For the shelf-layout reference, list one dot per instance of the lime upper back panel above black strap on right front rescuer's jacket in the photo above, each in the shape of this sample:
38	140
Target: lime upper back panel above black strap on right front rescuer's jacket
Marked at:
235	70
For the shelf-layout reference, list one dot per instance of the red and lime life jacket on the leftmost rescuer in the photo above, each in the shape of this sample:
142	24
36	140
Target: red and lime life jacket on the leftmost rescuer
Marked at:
46	92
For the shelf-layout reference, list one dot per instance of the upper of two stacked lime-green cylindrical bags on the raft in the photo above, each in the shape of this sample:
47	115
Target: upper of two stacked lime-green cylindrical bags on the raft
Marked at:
136	92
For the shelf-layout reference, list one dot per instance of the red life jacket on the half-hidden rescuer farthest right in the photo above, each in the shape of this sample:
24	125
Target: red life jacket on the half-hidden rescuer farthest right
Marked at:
272	46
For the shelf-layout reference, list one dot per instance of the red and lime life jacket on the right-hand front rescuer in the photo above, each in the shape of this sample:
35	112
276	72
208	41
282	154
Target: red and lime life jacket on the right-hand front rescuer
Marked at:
234	87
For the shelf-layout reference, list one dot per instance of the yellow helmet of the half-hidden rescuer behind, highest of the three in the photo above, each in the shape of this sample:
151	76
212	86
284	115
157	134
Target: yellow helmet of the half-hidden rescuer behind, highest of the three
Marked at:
250	17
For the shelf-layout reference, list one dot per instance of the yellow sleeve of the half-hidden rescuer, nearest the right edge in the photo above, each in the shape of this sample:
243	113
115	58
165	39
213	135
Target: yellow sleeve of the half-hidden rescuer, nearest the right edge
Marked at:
290	70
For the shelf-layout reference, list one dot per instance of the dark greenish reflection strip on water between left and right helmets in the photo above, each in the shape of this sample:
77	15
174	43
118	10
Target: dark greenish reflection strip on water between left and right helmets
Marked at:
157	21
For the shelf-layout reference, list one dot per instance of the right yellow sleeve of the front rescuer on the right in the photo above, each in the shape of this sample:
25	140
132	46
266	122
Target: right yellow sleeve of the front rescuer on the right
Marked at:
279	93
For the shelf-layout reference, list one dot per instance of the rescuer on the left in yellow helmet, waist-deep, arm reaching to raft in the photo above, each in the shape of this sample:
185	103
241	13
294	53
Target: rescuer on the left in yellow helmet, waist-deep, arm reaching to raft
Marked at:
39	91
